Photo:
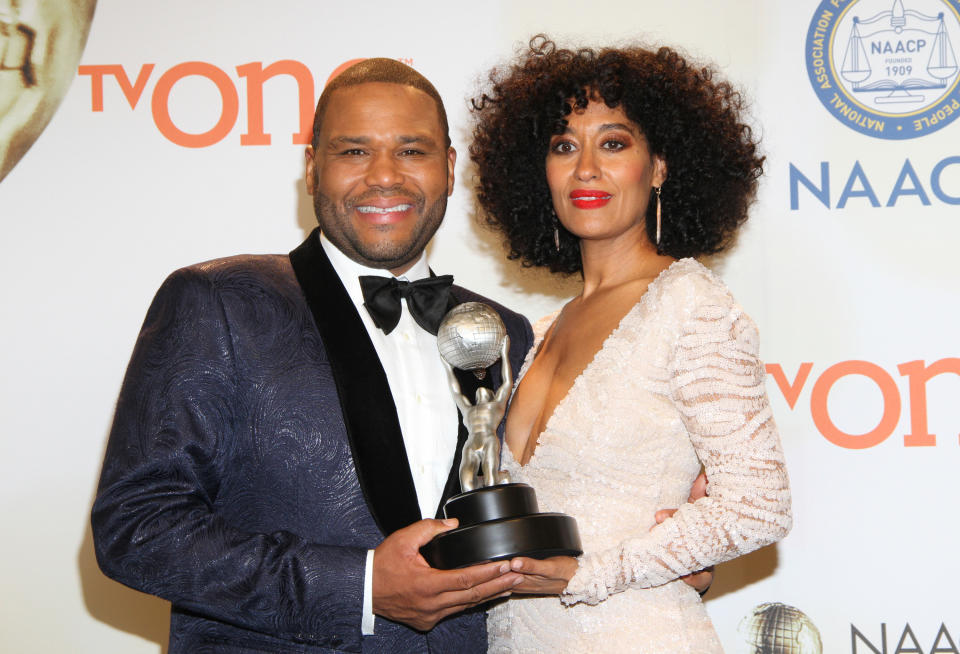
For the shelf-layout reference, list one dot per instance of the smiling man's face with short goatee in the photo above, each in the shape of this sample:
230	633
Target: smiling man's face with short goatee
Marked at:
381	173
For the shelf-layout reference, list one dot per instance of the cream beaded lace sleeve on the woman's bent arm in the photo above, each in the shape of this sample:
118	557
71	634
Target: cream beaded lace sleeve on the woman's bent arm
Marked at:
717	385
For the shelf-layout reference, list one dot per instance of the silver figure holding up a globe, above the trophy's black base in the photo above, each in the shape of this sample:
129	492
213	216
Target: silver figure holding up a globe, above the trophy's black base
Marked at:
470	327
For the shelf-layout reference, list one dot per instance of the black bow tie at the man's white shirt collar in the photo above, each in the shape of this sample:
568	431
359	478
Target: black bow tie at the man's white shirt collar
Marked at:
427	300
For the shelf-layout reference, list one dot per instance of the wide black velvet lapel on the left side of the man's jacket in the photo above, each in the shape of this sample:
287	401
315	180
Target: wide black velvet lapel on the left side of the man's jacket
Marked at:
368	409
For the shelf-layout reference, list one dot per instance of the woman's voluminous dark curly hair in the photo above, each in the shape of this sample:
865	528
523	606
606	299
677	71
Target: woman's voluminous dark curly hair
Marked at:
689	118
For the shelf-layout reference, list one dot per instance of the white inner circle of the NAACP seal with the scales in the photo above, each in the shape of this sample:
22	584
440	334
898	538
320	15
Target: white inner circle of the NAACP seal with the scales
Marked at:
895	55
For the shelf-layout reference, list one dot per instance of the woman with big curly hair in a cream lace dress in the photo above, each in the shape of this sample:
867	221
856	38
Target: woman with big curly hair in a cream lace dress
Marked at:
623	164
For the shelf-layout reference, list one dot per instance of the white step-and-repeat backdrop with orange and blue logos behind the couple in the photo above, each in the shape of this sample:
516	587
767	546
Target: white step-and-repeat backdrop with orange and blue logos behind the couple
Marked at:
138	137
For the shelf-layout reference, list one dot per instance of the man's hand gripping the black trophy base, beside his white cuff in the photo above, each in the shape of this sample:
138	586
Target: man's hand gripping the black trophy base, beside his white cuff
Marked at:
406	589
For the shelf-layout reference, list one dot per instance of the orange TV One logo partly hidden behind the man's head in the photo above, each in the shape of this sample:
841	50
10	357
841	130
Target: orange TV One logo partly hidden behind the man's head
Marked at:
254	75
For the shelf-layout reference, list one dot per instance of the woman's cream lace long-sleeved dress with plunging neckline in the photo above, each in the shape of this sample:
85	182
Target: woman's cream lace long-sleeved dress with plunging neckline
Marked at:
676	384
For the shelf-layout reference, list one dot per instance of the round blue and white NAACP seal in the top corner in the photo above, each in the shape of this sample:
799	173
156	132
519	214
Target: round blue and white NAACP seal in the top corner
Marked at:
887	68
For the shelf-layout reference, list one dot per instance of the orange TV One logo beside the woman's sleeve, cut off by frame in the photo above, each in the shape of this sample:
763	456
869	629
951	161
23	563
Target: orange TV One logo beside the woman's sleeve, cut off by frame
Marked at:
917	373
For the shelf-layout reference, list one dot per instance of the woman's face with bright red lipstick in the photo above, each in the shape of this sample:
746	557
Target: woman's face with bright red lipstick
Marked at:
601	173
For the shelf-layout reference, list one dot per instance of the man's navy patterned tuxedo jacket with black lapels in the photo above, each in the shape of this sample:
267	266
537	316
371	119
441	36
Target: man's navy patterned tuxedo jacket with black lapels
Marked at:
256	456
